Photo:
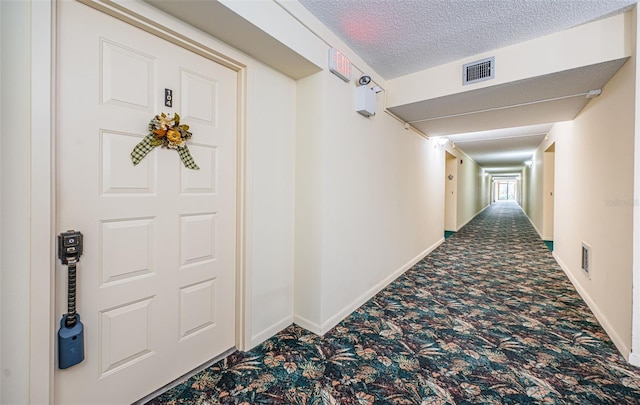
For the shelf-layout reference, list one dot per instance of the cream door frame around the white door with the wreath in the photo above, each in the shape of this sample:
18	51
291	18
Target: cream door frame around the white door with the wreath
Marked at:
42	318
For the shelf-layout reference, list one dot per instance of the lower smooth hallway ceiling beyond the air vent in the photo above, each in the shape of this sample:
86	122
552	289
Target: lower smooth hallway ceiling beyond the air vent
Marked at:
498	138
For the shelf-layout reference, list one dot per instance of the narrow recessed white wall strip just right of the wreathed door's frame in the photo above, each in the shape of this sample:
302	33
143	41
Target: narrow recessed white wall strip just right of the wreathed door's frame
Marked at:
272	159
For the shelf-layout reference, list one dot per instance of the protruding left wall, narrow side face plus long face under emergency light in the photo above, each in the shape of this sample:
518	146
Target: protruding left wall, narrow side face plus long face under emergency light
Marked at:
369	201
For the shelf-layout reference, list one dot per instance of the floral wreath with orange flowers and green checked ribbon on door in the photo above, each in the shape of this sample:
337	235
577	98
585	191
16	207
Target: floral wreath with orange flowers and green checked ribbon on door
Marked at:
165	131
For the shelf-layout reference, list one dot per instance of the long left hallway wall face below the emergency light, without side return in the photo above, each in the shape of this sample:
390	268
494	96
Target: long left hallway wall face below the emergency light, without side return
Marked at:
382	201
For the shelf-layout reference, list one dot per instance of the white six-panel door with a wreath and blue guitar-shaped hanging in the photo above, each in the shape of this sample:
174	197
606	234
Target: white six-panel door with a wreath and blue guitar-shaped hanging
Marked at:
156	282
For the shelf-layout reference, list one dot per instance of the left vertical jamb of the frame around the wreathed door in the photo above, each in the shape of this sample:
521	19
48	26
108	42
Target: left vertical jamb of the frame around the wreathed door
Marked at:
41	266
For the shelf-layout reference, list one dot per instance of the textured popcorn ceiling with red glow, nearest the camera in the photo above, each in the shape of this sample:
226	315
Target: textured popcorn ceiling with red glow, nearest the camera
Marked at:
398	37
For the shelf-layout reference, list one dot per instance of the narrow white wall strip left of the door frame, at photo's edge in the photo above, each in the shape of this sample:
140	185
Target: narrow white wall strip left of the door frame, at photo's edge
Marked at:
15	161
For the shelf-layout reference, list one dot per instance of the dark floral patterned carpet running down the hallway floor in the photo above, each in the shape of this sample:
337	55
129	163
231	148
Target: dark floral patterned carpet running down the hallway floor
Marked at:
486	318
